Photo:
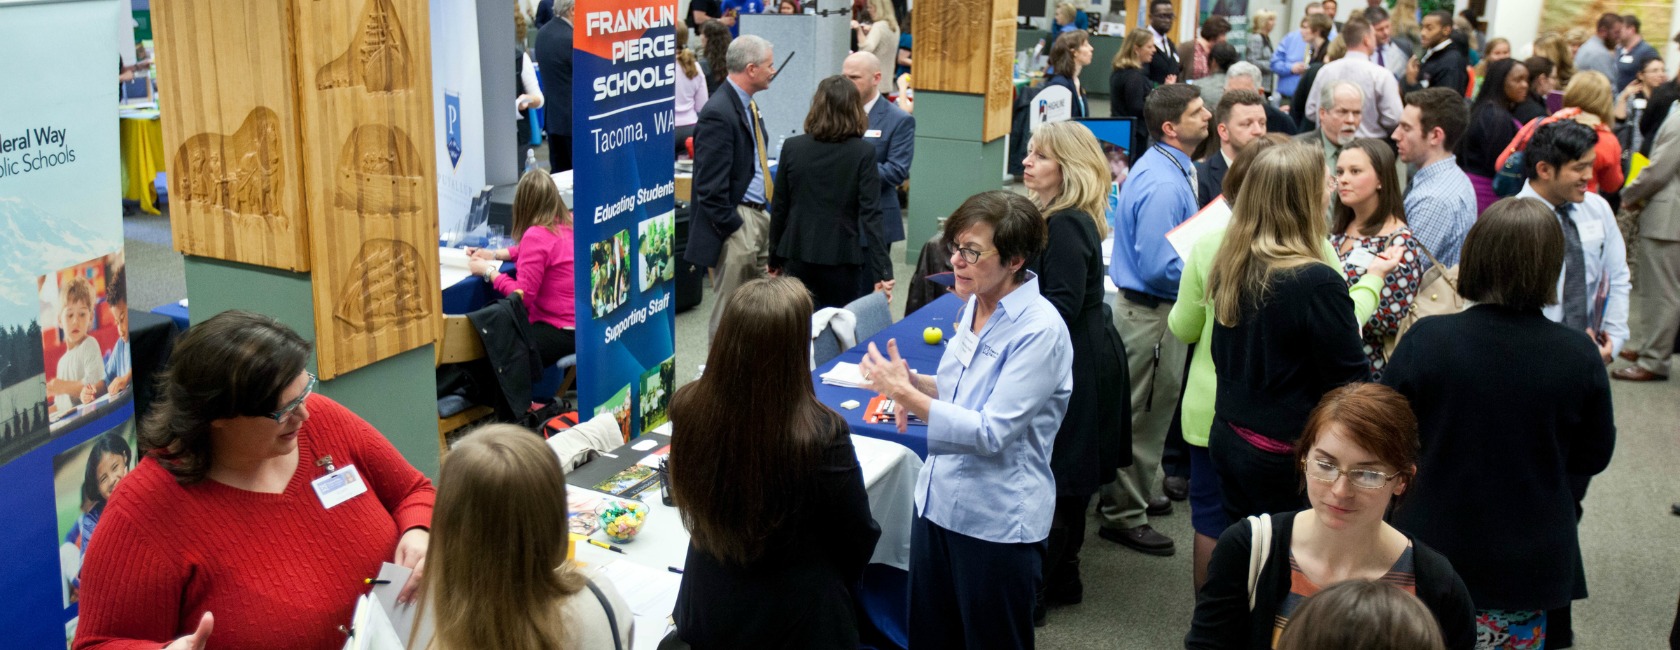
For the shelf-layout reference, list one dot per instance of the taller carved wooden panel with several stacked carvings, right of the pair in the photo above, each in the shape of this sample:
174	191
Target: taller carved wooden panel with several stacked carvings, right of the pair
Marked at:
367	115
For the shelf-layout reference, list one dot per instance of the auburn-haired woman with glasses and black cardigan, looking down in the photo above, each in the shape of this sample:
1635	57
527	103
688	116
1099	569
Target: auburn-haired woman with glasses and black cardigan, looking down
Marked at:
1358	456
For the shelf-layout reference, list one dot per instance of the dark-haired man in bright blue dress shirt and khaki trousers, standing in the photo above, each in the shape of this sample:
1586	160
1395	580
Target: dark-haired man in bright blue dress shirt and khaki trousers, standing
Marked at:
1157	197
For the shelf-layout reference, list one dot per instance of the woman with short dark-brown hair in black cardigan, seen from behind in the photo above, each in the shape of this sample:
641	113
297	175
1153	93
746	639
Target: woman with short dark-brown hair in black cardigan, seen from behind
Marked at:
1516	414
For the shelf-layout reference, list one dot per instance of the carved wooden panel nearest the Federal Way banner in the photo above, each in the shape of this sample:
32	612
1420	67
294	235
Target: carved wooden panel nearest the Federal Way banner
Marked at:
231	132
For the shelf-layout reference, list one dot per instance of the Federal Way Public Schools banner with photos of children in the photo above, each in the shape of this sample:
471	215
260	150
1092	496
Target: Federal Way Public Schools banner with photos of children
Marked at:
66	409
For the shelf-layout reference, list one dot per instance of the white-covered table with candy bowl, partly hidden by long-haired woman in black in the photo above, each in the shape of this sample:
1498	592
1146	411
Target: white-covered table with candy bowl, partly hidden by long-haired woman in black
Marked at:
890	480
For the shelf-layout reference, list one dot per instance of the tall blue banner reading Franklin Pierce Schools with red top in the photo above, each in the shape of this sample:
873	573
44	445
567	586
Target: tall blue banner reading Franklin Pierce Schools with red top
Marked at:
624	207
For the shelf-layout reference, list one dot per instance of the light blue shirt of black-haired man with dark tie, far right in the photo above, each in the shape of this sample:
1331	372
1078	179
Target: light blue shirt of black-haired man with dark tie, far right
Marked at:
1604	259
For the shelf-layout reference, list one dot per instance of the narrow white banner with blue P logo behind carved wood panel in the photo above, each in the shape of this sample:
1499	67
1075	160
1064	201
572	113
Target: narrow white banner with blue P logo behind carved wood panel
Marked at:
458	100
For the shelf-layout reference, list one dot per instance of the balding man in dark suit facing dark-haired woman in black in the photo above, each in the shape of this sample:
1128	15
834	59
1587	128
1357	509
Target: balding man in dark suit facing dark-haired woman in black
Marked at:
891	130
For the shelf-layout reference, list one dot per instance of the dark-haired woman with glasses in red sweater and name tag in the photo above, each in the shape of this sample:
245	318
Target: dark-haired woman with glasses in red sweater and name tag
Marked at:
258	511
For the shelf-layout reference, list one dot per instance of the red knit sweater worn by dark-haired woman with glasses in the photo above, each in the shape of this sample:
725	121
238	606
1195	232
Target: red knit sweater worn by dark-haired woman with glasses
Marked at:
278	570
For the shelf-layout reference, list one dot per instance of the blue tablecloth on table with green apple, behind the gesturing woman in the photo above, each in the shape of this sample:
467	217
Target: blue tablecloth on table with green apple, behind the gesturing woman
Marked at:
923	359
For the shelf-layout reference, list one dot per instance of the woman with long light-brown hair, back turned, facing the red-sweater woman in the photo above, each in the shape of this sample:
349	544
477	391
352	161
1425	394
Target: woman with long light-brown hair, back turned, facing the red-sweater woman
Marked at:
498	570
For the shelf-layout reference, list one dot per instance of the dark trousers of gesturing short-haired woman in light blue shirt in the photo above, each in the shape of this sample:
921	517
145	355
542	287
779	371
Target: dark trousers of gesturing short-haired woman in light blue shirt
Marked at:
970	594
